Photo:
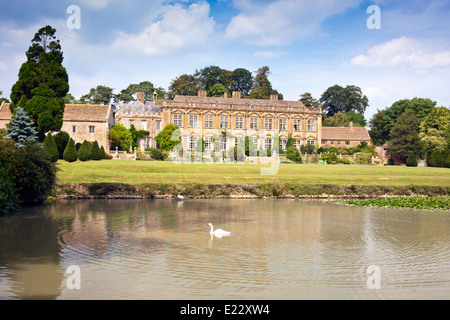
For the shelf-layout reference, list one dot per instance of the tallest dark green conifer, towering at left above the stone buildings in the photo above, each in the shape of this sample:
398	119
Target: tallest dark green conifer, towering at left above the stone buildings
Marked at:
43	82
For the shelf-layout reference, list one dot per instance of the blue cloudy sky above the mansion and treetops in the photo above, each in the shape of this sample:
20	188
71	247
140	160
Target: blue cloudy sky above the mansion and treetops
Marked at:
309	45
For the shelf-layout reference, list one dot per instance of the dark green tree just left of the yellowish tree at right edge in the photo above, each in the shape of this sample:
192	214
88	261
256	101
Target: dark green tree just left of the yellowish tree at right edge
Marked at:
404	137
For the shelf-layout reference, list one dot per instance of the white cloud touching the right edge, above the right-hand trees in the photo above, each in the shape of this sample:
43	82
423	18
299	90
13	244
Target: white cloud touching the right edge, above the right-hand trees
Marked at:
402	51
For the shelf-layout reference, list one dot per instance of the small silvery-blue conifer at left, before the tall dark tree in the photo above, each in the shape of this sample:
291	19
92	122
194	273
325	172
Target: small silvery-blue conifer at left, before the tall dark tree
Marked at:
21	129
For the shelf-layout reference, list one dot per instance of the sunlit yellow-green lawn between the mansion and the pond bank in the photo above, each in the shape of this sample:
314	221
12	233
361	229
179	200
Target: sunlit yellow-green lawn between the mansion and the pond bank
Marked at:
137	172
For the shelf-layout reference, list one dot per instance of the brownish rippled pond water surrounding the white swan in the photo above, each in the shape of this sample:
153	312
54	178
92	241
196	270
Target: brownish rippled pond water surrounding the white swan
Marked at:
278	249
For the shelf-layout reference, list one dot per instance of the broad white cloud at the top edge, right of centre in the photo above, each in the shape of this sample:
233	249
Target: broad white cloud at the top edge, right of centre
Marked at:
282	21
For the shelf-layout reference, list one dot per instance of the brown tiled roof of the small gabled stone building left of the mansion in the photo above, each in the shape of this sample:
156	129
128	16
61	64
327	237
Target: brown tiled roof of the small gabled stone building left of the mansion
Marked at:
86	112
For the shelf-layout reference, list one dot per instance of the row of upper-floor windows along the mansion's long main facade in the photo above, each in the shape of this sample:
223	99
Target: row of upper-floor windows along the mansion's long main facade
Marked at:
239	123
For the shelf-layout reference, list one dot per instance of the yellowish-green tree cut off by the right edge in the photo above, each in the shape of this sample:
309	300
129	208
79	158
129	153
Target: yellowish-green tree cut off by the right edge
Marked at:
433	129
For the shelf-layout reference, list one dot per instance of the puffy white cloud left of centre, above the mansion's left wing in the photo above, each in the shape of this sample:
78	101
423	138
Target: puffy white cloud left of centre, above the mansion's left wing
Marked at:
178	28
